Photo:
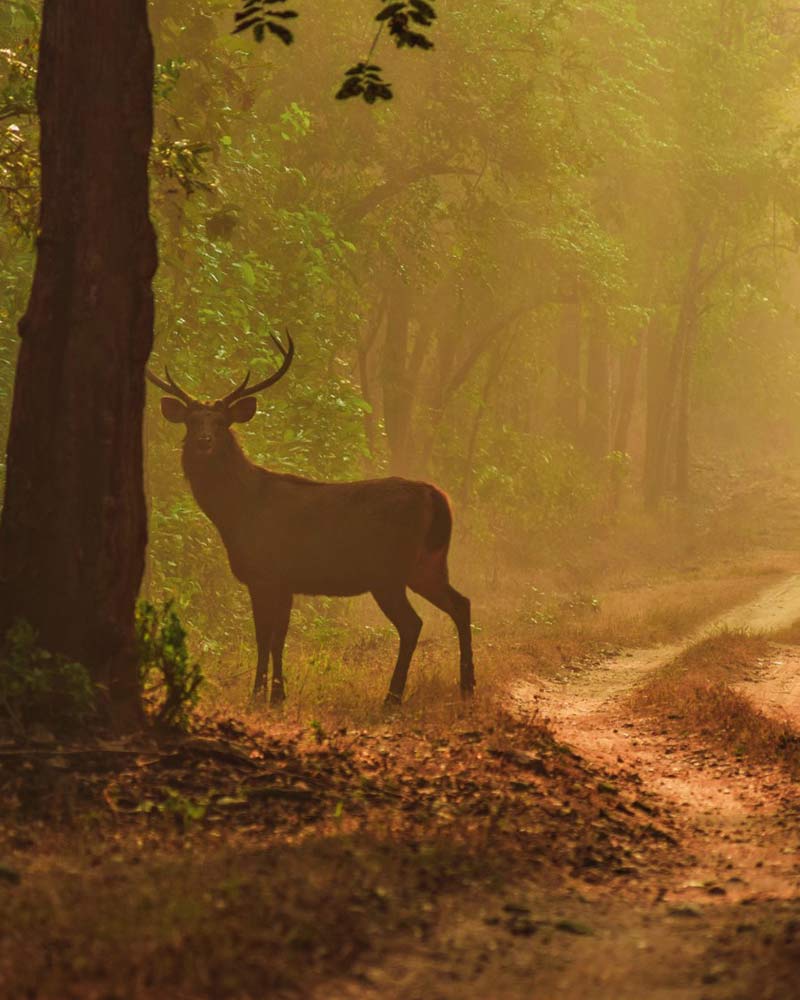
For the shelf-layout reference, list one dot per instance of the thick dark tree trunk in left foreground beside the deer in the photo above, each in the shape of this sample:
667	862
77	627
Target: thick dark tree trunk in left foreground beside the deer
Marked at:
73	528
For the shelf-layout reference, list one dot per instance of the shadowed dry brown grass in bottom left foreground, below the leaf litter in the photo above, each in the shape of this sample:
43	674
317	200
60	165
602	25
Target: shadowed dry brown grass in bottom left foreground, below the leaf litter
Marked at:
224	923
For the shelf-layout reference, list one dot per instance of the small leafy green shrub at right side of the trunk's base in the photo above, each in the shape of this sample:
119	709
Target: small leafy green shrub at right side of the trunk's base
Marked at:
170	681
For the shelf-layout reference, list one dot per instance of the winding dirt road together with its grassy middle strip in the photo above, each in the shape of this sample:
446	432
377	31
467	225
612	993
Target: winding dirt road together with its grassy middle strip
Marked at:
719	917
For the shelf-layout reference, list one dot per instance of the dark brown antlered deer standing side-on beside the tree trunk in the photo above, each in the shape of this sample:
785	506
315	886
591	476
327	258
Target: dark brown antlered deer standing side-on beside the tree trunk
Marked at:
287	535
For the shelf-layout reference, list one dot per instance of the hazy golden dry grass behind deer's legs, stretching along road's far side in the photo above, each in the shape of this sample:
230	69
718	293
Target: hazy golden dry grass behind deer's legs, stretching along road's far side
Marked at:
643	581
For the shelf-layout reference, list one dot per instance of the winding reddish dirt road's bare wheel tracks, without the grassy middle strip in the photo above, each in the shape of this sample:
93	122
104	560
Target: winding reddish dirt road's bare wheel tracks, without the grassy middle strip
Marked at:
693	933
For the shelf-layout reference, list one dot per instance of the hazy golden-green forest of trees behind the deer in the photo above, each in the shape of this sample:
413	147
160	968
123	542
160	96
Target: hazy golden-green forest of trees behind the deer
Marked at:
556	274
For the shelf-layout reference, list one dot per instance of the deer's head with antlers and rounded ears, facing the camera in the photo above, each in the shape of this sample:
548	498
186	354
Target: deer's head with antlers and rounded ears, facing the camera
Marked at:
208	424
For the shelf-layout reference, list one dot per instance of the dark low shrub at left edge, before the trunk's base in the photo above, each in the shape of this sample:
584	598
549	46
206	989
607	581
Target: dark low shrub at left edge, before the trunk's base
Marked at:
41	688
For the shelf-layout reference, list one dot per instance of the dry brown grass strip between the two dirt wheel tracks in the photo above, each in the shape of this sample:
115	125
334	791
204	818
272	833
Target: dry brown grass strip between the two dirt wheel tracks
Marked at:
694	695
